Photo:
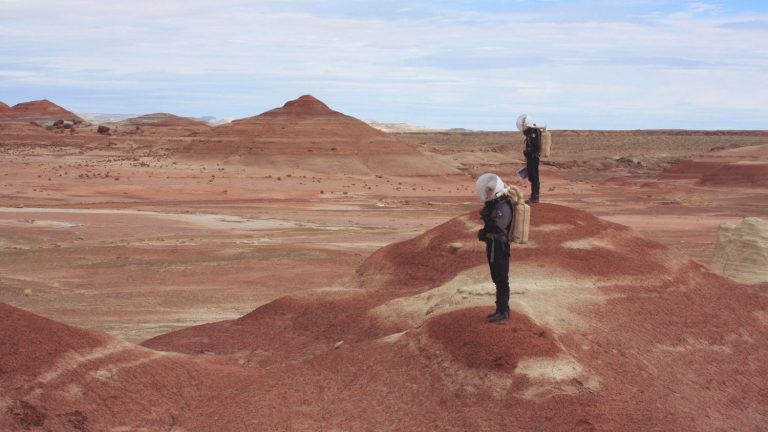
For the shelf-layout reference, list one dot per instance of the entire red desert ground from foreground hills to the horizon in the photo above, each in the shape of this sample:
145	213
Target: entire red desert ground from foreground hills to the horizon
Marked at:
301	270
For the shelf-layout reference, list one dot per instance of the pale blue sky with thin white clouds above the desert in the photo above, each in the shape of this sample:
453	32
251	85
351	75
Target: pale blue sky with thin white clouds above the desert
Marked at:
475	64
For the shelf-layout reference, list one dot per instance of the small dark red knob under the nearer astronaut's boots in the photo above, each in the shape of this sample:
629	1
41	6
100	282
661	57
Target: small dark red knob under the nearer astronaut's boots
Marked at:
469	339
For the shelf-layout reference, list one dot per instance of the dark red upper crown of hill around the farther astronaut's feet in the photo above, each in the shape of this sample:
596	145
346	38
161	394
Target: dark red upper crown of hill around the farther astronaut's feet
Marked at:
439	254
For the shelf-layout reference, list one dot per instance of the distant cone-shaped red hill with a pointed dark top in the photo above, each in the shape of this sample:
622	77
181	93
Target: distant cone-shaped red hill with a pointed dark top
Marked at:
305	134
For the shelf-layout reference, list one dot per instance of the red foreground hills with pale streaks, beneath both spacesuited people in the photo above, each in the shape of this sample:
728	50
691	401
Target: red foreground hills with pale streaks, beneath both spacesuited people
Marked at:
609	331
